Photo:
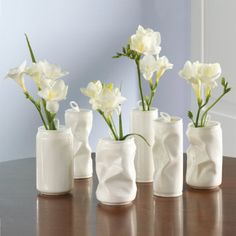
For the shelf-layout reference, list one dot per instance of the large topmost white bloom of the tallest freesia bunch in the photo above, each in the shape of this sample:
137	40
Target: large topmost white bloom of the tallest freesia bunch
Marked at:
146	41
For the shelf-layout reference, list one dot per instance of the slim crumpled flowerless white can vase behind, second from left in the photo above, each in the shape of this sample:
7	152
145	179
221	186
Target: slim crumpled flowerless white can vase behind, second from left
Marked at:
80	123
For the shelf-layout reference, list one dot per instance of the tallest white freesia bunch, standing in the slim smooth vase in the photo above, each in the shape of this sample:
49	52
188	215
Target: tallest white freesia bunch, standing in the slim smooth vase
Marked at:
144	48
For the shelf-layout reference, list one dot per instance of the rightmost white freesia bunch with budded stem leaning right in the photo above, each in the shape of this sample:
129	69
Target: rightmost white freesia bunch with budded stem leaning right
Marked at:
203	78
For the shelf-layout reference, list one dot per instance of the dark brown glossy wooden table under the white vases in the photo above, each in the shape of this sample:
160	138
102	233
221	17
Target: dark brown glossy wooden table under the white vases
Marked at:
200	213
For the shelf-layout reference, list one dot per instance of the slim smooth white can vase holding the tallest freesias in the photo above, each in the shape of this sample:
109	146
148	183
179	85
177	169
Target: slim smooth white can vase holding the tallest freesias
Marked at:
142	123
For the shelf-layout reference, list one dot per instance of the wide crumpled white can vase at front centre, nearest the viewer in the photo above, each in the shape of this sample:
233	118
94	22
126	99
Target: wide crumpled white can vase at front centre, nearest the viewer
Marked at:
116	172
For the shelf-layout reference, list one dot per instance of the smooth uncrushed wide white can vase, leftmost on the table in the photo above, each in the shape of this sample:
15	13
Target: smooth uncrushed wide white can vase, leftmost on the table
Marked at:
54	161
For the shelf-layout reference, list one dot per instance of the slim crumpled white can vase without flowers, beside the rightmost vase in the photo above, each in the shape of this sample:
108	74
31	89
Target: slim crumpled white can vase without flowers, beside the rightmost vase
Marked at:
168	157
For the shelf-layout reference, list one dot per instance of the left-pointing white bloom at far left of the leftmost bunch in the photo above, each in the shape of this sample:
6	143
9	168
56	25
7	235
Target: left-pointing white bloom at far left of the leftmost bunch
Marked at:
17	74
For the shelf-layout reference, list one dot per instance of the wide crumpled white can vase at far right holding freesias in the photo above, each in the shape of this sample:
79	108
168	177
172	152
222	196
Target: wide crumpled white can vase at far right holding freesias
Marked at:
204	156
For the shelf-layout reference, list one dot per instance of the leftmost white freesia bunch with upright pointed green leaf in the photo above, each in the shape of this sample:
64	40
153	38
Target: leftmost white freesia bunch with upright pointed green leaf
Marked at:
51	89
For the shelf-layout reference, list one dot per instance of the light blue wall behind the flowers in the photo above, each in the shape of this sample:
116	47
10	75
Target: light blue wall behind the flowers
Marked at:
82	36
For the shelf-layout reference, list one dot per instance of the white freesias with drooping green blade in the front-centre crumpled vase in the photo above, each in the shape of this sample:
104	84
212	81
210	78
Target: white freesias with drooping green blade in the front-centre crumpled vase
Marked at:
106	100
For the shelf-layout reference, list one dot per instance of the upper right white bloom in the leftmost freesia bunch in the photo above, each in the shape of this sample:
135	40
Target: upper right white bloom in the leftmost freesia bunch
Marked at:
51	71
